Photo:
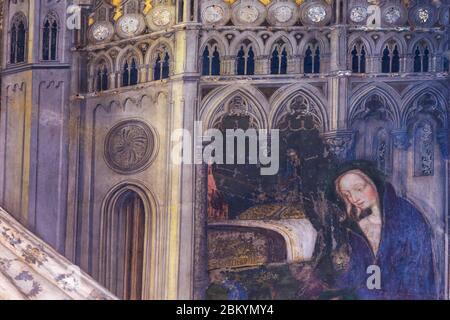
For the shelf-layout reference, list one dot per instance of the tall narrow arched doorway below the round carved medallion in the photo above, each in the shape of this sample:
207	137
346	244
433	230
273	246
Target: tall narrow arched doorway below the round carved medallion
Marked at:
123	243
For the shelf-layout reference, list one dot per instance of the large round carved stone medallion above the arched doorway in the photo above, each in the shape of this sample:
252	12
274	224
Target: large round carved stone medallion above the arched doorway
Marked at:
129	146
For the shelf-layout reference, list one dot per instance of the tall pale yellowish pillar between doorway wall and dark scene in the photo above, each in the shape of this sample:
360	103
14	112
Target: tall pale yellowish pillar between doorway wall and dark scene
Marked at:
181	196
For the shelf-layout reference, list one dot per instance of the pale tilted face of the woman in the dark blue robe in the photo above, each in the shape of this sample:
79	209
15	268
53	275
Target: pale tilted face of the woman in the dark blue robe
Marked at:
357	191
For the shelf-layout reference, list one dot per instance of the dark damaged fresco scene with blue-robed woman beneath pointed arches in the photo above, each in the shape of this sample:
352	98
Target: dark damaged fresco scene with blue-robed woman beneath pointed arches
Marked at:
367	241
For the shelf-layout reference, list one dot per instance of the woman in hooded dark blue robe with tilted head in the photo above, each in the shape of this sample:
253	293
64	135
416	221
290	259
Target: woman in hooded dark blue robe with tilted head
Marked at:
383	230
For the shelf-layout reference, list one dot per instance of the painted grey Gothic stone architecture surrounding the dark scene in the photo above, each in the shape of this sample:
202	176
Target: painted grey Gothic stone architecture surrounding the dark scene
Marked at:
87	114
